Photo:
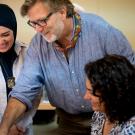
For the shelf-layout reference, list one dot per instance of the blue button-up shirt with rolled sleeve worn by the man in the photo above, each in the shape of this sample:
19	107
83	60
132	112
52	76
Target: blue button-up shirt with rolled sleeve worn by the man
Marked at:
65	82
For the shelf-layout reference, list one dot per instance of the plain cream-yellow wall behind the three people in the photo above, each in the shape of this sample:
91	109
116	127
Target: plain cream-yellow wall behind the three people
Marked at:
120	13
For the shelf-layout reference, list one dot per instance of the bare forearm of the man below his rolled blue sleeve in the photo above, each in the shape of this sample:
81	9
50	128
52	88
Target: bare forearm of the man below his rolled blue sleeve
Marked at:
14	109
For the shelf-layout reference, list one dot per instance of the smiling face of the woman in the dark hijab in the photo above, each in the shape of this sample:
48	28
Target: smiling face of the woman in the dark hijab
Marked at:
6	39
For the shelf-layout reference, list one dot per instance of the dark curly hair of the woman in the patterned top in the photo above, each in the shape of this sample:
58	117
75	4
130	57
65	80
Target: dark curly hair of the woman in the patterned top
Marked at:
113	77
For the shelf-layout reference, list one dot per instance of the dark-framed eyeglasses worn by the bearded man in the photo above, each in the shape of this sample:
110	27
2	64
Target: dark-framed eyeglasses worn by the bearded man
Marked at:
41	22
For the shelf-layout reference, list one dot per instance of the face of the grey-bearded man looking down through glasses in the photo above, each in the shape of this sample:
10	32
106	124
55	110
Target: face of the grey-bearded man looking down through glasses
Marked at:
54	26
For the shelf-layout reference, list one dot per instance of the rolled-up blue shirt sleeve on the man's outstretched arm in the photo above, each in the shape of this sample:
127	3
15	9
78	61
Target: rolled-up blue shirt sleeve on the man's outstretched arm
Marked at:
29	82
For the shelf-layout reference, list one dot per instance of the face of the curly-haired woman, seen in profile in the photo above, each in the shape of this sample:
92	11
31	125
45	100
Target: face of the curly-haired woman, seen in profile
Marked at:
95	101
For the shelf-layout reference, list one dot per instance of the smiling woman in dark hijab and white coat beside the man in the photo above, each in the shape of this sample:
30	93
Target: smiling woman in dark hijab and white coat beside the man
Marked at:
11	60
